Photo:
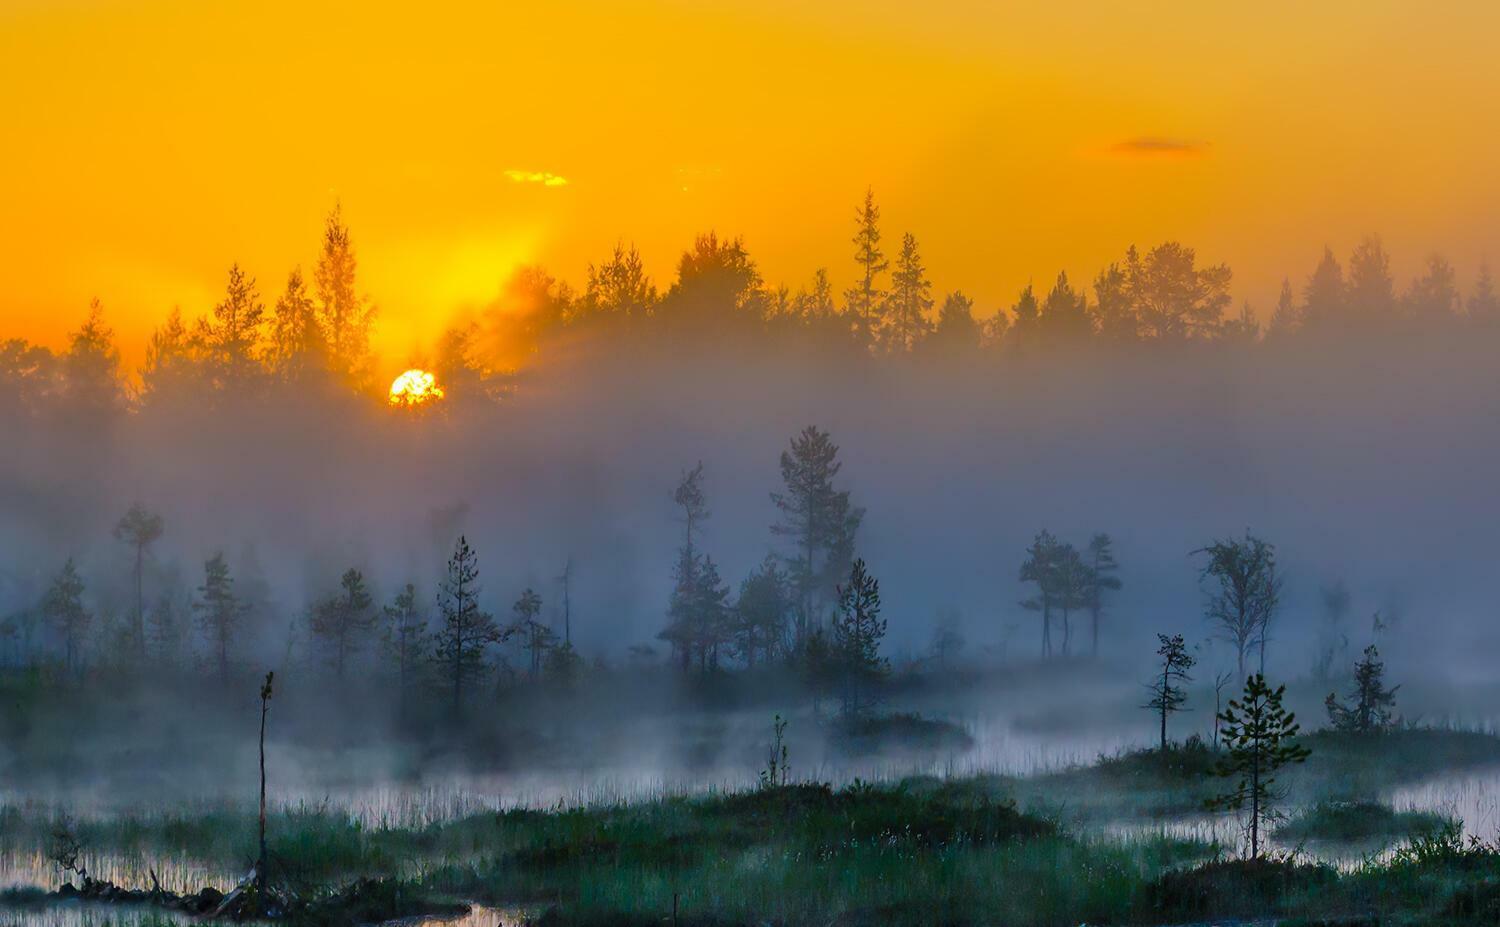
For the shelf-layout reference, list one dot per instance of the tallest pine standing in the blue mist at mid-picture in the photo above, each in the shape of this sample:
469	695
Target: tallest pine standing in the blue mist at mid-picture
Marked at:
817	518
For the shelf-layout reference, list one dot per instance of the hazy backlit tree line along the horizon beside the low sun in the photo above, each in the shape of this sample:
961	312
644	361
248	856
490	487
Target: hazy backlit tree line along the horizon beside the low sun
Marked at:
317	332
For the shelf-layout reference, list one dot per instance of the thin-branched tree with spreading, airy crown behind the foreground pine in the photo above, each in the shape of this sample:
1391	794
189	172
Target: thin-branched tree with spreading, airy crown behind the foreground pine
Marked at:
1244	593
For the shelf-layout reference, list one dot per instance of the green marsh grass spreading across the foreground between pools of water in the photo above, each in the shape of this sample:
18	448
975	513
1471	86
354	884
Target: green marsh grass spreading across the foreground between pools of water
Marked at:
922	851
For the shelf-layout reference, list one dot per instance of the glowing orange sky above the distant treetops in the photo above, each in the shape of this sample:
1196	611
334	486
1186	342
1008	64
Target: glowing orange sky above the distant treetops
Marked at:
148	145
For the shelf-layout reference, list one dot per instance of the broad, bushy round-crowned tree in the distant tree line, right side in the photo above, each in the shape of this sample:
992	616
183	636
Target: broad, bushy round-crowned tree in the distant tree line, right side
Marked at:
1172	296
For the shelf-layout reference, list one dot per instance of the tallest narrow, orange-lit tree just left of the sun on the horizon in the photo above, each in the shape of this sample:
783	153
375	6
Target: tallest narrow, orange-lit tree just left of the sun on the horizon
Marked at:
344	316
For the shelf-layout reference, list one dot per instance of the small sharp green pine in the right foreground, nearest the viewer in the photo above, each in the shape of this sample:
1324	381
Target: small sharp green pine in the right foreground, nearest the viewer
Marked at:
1259	734
